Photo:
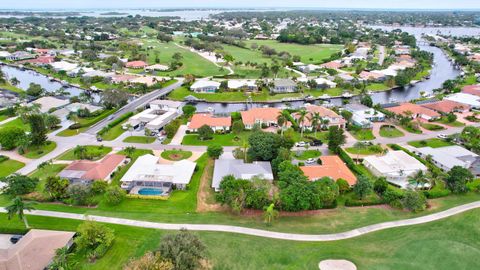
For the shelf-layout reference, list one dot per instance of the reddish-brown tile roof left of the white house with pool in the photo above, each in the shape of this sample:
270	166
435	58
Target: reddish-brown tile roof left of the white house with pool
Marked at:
97	170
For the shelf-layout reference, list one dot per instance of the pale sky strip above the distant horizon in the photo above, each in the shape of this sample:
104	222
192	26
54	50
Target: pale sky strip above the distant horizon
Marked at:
353	4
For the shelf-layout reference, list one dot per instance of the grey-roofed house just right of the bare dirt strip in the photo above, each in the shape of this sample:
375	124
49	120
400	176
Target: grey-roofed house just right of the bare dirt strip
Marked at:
240	170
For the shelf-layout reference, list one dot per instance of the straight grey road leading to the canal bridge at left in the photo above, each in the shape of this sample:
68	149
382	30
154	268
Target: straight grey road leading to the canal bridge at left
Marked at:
133	105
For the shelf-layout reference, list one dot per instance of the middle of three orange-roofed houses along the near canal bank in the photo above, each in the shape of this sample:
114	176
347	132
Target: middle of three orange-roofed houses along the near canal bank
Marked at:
260	116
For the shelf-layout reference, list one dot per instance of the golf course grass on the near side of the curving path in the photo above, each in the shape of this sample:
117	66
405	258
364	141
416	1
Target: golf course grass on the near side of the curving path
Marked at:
451	243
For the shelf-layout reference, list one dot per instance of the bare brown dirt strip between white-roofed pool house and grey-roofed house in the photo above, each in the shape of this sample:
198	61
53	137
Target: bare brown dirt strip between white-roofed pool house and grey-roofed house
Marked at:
205	195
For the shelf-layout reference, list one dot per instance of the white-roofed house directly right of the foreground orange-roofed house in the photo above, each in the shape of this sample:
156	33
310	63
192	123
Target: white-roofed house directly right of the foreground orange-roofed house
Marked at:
395	166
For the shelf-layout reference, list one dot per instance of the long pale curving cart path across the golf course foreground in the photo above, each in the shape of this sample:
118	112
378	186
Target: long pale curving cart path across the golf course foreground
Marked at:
263	233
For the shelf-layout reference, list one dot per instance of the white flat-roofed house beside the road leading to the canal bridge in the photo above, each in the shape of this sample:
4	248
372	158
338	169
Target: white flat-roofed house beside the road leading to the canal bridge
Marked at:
160	113
